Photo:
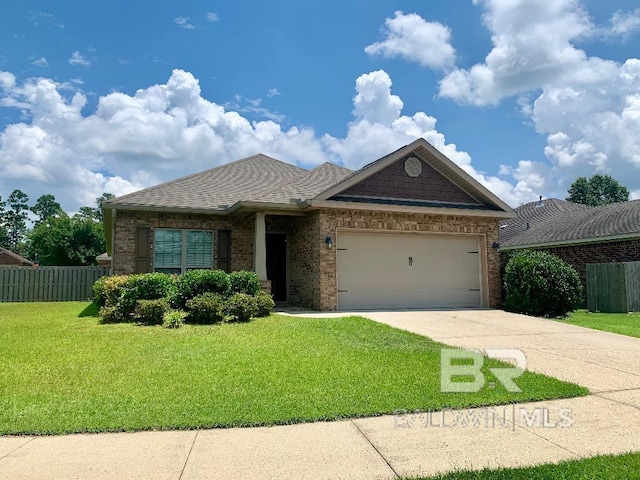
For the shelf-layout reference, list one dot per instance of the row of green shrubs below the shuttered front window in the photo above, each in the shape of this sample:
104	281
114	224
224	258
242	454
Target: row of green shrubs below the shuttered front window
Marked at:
197	296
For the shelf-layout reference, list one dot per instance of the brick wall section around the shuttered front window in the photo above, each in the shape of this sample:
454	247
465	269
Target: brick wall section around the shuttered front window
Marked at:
242	235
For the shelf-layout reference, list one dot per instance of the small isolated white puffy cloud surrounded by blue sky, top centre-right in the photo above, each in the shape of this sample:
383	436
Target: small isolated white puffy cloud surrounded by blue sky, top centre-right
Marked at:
413	38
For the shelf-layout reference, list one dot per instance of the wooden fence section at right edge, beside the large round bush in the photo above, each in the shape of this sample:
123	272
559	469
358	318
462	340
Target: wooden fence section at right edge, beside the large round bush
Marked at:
613	287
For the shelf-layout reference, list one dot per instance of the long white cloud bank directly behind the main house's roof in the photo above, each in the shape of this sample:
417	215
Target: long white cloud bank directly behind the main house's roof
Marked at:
167	130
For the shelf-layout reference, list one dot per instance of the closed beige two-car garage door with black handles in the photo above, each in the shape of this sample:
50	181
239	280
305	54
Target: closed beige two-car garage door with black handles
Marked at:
380	270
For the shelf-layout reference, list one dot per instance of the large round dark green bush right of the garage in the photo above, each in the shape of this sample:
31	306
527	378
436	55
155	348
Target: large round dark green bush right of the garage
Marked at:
538	283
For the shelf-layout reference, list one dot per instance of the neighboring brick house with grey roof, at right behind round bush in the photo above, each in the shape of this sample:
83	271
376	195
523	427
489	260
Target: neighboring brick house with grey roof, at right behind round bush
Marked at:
576	233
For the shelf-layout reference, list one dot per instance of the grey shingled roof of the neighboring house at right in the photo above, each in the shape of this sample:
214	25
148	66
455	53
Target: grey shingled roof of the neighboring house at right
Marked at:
558	222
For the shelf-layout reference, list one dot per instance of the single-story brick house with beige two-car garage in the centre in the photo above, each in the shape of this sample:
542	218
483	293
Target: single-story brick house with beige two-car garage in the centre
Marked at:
409	230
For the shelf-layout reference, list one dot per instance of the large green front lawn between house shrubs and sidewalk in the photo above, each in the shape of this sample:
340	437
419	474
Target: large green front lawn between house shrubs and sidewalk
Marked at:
61	371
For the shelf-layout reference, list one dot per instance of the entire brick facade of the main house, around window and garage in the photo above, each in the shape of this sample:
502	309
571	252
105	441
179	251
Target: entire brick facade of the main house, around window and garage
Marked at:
312	268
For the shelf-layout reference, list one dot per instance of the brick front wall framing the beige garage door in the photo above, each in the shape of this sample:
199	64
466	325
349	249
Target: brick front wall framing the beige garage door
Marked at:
330	220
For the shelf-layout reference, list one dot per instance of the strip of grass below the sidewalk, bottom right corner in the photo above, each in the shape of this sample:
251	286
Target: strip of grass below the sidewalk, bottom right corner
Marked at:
614	467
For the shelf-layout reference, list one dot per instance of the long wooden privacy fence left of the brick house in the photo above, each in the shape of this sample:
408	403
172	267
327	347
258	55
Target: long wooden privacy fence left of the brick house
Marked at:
48	284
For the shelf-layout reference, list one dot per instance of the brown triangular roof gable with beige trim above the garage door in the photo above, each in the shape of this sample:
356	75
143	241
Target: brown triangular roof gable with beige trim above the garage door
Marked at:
441	182
